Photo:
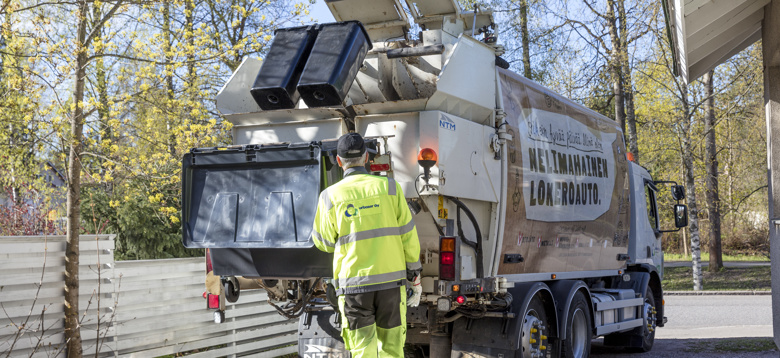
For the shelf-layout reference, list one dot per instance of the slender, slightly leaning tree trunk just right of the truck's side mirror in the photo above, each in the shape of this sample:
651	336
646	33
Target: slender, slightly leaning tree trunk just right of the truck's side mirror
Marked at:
690	192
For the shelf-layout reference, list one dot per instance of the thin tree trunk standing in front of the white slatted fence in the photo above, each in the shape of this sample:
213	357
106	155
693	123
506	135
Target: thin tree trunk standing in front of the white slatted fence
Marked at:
72	326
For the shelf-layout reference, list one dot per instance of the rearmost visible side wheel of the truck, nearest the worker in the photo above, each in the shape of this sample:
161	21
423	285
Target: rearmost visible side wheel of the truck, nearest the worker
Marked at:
535	329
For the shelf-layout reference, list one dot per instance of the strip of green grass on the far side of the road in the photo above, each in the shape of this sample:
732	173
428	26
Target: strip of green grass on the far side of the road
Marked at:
755	278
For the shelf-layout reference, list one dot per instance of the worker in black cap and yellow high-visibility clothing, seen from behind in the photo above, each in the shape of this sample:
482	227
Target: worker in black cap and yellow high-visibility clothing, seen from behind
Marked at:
365	222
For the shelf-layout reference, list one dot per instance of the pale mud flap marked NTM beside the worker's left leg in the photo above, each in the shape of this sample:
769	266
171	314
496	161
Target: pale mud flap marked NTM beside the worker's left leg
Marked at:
319	335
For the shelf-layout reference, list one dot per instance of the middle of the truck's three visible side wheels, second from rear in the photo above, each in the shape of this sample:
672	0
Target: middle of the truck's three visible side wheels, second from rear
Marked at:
578	329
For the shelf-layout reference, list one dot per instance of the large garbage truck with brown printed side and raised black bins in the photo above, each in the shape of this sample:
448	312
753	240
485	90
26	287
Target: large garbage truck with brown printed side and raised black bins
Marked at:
538	233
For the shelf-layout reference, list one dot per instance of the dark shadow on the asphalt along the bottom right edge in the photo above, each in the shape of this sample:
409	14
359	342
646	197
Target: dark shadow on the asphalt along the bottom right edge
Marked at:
695	348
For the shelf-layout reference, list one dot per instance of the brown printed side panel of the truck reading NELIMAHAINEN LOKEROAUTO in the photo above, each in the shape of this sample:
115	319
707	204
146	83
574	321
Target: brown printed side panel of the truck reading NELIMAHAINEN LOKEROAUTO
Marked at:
566	184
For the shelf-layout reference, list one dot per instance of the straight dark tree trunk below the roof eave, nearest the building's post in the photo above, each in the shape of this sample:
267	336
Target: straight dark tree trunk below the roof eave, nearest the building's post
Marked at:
711	162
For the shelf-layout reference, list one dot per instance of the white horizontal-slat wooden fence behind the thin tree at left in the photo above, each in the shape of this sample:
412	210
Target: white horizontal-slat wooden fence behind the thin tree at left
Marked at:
131	308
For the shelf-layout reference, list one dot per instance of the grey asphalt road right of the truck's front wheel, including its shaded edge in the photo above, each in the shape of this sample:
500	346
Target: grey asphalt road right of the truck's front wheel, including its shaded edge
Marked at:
698	325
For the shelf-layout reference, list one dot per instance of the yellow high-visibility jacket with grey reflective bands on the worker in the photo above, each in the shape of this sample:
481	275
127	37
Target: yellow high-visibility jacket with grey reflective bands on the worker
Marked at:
365	222
